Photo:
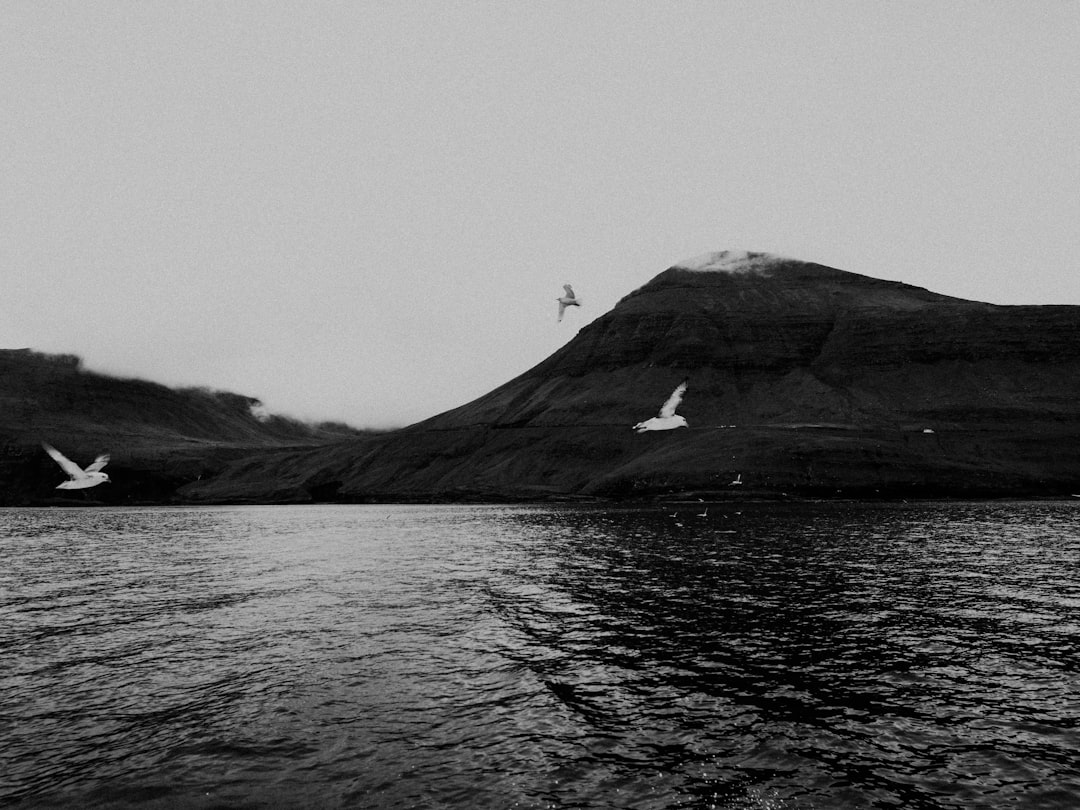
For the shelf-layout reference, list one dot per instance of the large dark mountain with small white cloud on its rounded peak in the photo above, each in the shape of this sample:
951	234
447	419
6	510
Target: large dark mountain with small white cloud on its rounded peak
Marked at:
803	379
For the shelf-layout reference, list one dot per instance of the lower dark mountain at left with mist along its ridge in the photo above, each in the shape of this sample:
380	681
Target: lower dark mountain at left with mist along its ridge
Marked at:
159	438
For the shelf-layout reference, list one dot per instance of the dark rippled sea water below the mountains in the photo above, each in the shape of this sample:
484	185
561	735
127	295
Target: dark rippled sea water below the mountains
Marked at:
751	656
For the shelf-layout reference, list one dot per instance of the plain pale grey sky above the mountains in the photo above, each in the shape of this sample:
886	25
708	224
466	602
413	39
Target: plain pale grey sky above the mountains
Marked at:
364	212
